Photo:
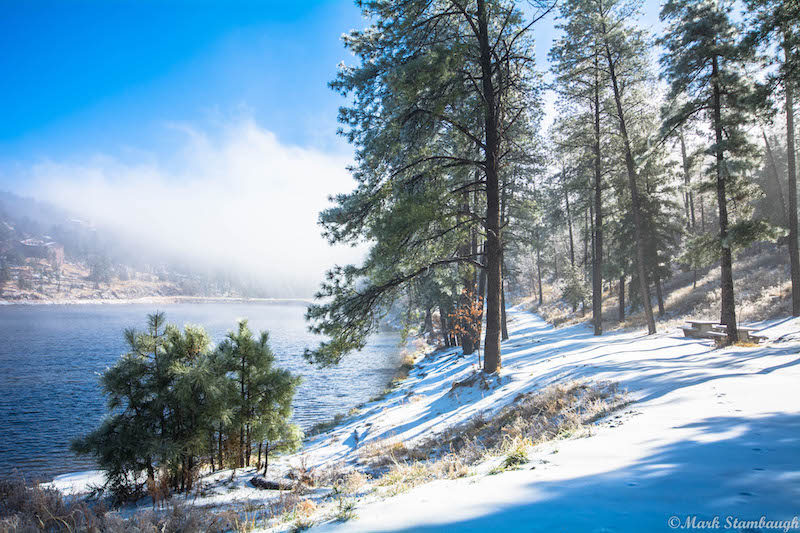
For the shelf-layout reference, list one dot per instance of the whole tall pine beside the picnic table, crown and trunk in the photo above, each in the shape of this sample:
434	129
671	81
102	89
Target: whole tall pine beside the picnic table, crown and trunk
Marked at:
705	65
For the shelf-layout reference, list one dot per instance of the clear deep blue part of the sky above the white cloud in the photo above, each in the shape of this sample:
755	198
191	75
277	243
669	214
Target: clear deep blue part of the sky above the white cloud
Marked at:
86	76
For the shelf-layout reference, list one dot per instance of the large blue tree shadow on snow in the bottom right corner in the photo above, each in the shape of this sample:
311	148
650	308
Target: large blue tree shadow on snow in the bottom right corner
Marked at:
734	466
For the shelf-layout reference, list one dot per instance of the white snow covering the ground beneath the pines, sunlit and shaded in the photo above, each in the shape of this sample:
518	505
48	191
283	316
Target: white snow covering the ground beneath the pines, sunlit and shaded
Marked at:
712	433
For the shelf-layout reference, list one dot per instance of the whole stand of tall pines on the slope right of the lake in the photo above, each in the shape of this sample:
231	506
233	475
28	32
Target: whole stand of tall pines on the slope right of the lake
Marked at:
665	186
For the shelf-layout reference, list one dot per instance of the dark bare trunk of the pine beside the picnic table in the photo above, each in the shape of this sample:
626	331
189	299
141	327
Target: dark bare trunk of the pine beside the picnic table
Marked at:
728	311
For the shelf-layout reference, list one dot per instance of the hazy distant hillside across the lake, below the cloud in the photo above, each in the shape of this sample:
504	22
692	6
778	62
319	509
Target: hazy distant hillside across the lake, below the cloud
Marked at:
48	254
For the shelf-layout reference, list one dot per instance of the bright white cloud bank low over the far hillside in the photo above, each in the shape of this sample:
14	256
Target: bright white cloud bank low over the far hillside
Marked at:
236	198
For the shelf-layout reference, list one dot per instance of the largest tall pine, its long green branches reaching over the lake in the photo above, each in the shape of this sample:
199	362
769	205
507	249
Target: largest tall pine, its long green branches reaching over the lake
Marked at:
440	89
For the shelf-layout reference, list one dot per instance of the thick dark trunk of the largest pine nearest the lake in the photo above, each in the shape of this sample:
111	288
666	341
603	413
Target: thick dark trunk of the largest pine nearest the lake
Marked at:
494	276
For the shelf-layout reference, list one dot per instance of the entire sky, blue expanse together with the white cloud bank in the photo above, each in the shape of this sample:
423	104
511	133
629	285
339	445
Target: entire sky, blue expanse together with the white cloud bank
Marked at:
205	129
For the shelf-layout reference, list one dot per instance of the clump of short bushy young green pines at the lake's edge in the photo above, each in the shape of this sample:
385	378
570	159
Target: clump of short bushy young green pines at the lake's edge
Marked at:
171	395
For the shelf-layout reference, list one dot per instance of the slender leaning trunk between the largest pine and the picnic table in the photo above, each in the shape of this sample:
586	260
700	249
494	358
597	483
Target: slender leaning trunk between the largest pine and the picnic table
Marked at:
638	227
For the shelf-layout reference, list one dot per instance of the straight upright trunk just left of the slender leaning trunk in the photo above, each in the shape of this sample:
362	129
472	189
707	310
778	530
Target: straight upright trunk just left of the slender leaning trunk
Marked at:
597	256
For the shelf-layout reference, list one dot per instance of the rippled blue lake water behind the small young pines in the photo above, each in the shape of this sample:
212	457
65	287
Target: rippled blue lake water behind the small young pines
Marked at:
50	358
